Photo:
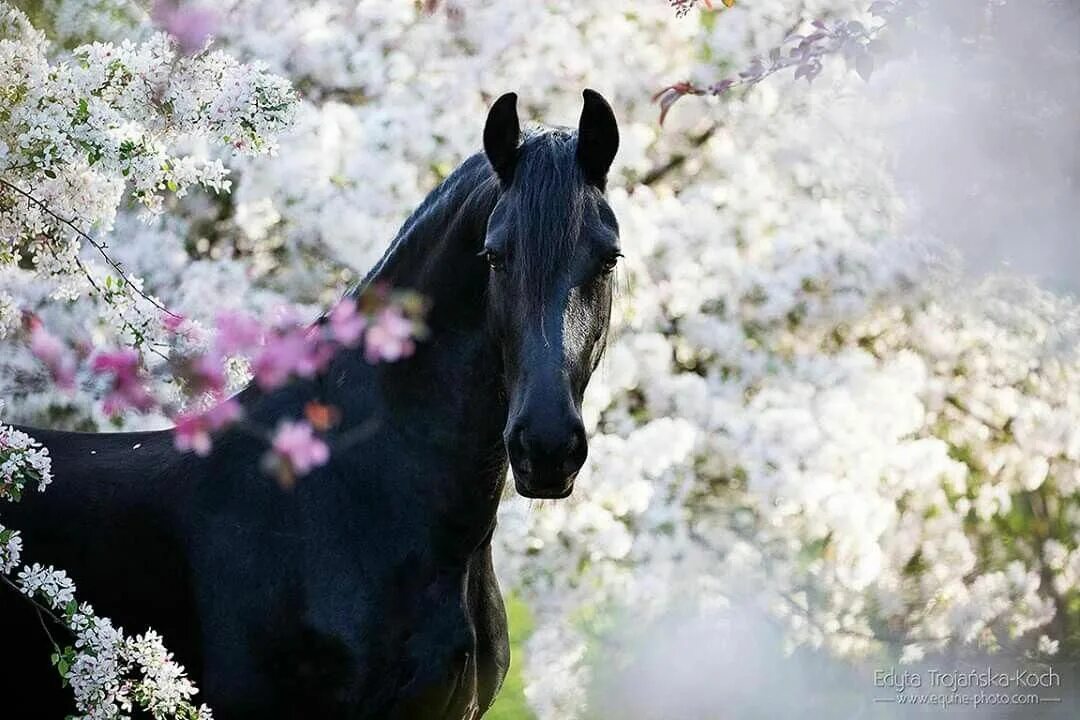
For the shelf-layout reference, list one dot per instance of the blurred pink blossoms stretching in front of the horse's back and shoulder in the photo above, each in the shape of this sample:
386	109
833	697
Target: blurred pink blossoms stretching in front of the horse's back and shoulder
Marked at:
385	323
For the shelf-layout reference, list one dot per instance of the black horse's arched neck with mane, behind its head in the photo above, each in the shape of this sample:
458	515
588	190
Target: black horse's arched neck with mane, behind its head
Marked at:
455	376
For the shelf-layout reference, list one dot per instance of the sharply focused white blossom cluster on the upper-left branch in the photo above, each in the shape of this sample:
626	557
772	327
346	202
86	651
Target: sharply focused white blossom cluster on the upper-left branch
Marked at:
79	134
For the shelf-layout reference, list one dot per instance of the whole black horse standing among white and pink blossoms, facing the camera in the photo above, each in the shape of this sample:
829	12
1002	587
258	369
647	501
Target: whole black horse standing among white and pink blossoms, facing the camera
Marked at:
368	590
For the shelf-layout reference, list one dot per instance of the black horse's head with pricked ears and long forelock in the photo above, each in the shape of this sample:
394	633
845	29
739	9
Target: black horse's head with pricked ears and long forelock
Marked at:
552	243
